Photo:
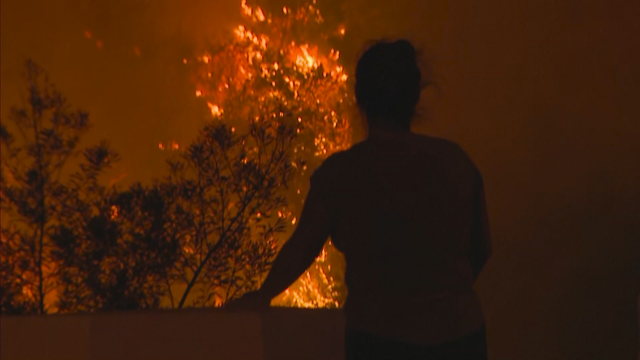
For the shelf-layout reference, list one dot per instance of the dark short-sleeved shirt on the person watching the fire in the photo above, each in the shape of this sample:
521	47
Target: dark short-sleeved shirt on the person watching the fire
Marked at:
407	212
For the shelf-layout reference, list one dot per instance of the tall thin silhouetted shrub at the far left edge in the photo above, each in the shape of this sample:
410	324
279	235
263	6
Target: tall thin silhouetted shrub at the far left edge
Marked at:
40	138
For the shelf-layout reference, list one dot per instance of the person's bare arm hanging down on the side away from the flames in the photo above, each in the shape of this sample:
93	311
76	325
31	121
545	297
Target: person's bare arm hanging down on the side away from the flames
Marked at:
480	234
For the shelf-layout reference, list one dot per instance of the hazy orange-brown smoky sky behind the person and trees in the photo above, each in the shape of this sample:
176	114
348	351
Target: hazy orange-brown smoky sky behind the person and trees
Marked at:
543	95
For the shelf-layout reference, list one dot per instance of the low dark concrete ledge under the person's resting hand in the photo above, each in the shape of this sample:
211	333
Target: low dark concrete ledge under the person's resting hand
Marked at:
277	334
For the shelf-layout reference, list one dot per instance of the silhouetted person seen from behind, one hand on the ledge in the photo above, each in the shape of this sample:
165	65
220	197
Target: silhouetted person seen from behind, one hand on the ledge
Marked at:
409	214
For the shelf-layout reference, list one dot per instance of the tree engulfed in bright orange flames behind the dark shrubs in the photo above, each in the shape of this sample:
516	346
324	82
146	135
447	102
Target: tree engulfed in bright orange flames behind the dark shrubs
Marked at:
282	64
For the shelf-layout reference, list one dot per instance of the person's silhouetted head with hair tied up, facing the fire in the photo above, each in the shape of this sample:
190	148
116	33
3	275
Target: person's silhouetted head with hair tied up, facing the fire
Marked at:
388	84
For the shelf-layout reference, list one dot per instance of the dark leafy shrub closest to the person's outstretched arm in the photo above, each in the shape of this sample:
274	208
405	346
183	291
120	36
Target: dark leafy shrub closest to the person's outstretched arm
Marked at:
231	205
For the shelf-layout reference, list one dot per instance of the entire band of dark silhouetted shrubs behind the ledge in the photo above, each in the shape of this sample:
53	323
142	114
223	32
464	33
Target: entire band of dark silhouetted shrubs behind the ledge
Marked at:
199	237
